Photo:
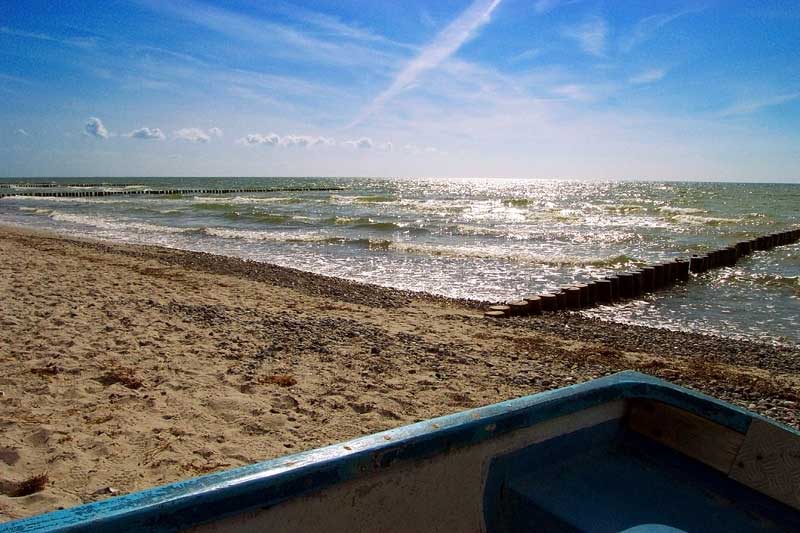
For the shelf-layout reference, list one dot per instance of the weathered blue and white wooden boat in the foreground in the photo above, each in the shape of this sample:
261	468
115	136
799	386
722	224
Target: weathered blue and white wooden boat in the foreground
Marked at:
623	453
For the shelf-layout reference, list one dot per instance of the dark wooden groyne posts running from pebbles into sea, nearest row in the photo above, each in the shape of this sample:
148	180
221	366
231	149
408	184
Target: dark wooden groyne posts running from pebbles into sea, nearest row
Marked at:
636	283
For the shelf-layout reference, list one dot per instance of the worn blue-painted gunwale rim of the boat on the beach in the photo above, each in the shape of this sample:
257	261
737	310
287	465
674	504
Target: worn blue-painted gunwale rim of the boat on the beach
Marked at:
265	484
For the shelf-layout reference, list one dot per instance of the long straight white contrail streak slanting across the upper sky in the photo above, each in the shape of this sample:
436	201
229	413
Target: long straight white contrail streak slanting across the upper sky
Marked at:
443	46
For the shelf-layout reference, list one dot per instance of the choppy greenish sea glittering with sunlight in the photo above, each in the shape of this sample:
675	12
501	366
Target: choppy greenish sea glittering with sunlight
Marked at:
484	239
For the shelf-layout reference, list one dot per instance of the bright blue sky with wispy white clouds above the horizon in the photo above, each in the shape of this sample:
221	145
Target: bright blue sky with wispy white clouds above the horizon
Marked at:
514	88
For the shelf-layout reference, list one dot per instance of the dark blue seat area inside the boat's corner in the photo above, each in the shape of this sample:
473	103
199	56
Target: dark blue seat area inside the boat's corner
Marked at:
610	479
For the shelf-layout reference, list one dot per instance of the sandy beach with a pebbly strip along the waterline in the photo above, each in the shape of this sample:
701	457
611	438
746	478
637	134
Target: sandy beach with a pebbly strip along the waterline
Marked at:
123	367
